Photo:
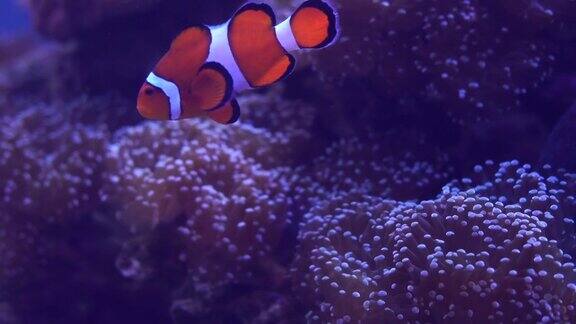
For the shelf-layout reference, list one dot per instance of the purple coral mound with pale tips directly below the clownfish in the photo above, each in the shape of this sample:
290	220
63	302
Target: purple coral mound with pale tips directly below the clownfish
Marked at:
221	187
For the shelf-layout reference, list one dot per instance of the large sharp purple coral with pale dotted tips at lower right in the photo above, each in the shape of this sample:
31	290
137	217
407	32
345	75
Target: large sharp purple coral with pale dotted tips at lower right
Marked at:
479	253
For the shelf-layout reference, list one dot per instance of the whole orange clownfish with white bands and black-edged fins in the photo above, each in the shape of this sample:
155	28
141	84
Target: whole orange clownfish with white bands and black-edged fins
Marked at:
206	66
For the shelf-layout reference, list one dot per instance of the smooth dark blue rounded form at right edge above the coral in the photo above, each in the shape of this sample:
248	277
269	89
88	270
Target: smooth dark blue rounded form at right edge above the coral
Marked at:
560	150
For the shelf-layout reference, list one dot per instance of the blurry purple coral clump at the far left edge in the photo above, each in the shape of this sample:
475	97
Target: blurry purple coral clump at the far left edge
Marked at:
50	169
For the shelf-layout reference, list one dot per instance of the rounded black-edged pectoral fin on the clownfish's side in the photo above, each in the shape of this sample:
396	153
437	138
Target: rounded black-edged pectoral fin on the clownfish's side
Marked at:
212	87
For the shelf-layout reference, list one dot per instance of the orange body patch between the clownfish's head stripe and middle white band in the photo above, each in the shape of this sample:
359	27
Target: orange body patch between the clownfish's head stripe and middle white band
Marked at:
188	51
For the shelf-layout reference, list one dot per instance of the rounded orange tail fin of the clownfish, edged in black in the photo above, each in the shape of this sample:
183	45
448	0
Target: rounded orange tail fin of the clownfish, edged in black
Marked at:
315	24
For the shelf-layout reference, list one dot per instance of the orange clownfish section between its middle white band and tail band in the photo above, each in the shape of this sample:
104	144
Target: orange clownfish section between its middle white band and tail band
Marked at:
255	47
